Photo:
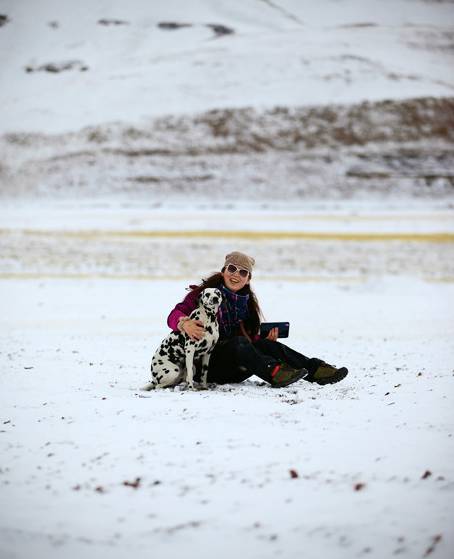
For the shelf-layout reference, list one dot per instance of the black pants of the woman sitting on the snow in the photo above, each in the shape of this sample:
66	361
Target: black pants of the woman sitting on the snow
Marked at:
237	359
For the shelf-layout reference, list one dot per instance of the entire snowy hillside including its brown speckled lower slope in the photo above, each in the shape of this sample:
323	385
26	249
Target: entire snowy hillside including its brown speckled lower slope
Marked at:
255	100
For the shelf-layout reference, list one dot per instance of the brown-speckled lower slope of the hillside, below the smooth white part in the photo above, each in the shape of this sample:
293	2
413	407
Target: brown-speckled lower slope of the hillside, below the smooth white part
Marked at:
379	149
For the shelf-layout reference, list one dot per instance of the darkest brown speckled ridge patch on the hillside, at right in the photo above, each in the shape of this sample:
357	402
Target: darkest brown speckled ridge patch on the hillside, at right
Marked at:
407	120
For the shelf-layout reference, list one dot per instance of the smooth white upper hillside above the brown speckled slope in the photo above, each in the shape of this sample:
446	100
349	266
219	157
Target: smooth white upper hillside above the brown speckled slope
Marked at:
66	65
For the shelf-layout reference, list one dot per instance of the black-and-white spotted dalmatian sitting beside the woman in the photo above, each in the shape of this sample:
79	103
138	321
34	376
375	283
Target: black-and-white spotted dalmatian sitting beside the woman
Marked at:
176	357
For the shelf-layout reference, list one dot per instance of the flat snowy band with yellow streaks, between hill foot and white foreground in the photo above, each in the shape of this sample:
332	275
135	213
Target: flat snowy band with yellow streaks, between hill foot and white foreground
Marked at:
67	241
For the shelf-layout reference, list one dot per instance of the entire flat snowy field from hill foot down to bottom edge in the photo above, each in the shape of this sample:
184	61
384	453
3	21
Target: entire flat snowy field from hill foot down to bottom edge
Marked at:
361	468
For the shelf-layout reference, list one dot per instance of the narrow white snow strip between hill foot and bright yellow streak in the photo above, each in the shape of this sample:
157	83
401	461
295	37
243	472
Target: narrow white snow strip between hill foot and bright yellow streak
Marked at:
340	219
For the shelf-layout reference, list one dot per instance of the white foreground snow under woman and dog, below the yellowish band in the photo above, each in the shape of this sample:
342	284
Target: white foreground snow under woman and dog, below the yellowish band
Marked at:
373	455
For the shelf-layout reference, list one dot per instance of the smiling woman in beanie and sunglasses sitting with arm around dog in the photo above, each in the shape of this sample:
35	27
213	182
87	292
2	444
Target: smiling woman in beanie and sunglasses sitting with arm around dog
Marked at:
240	352
